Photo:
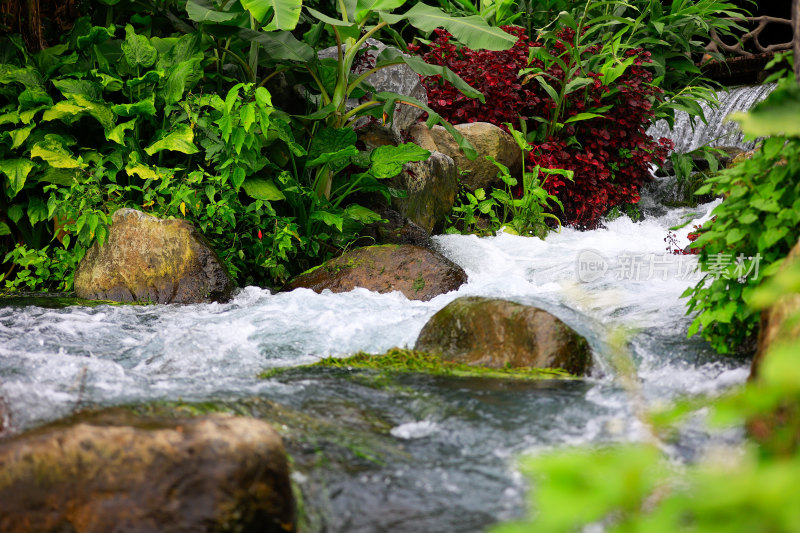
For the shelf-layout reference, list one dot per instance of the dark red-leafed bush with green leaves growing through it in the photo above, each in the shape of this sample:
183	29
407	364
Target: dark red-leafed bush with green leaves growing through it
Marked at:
584	111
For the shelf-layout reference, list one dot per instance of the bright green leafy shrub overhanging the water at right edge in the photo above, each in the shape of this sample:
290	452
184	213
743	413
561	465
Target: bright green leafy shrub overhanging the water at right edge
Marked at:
760	217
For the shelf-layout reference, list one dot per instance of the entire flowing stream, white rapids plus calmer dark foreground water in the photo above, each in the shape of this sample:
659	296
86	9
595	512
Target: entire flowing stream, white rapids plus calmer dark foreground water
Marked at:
416	453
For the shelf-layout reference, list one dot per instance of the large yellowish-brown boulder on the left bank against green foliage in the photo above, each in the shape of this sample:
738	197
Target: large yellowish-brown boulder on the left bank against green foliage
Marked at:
149	259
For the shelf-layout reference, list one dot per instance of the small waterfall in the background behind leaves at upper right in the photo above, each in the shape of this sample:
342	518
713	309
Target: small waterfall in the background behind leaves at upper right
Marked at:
717	131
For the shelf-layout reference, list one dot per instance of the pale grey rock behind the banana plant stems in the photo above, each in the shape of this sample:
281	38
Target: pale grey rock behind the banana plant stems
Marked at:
398	79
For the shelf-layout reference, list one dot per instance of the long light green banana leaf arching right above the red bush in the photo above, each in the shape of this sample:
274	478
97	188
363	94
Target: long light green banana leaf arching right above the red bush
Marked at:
472	31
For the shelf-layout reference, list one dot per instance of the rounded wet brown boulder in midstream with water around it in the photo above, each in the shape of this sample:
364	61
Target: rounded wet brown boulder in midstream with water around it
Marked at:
498	333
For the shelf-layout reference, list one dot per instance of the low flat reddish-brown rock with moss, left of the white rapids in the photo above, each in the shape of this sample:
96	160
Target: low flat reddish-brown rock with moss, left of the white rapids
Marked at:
417	272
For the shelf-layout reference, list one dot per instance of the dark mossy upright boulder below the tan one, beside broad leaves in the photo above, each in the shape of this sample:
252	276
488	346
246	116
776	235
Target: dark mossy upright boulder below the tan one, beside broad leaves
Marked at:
432	186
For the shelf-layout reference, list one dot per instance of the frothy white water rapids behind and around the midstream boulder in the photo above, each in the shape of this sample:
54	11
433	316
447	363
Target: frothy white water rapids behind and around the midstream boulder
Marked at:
53	359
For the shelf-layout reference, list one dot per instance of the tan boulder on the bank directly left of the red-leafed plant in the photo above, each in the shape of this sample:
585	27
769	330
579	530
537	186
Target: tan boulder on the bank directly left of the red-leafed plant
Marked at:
486	138
